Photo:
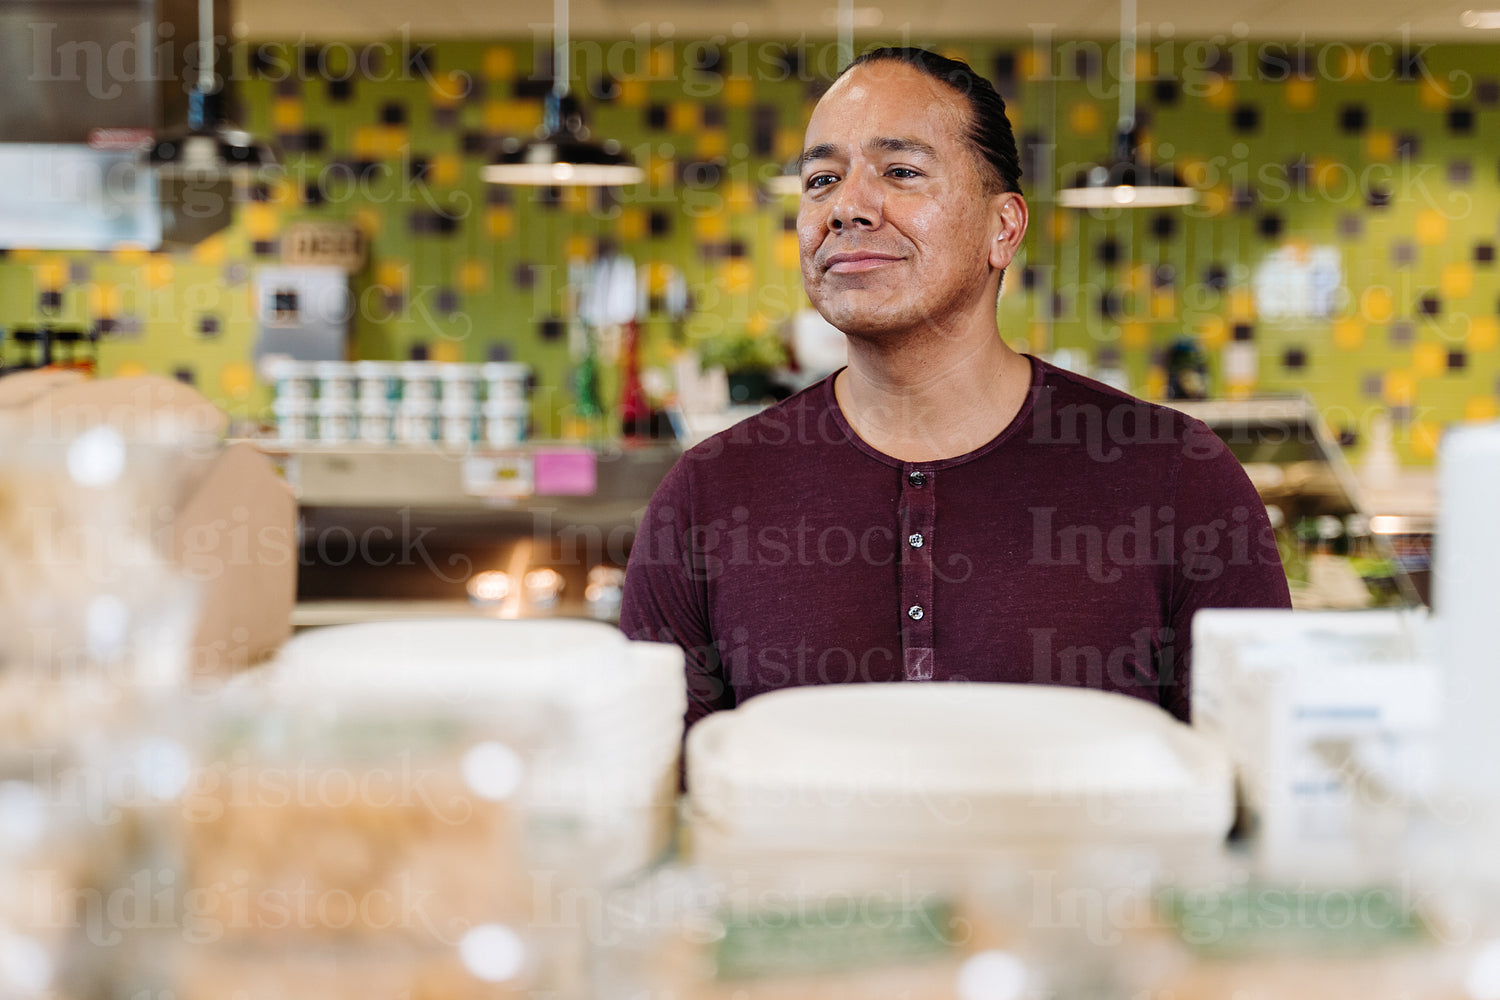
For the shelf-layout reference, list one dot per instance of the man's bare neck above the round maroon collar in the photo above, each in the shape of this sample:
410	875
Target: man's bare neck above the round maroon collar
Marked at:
928	403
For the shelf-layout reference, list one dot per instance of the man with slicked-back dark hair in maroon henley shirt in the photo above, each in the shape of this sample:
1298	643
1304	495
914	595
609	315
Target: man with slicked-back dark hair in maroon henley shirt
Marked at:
944	509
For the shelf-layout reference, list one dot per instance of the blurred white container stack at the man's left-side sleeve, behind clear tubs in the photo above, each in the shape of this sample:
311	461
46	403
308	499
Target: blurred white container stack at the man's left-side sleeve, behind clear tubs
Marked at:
601	717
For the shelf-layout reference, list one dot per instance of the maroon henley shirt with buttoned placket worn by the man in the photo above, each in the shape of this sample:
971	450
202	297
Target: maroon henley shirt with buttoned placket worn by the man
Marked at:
1072	549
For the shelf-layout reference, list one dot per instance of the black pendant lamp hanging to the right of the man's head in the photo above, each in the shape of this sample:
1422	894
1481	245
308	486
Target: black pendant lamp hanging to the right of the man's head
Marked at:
1127	181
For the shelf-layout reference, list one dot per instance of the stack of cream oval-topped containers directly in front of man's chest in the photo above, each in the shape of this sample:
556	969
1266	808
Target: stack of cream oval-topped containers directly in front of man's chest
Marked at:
950	768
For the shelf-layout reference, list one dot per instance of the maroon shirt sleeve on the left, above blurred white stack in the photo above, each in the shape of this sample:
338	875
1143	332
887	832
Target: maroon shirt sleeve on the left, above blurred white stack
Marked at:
667	596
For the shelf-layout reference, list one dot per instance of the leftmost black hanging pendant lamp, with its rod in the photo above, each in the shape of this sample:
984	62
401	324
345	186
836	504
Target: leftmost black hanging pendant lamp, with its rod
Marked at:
211	146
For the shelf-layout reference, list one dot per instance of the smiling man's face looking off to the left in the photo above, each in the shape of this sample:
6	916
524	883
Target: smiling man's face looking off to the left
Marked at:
895	226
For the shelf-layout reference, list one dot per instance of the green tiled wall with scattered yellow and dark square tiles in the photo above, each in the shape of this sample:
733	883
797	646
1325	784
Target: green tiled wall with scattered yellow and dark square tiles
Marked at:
1387	154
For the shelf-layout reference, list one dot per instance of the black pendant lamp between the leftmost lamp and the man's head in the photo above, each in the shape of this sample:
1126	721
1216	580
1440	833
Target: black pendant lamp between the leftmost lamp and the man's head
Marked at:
563	157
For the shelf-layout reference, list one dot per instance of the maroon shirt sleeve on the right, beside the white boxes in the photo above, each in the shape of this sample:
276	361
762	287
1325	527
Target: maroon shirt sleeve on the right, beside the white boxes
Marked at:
1228	554
